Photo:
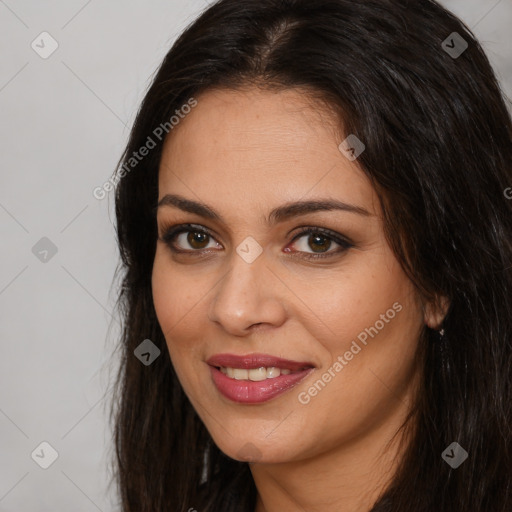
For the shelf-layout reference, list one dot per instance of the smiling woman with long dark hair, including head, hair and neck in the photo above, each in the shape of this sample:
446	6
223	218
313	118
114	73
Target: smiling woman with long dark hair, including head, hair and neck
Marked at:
316	243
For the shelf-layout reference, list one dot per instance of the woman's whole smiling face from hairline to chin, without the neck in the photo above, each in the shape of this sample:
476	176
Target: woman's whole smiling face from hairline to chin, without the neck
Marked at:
283	355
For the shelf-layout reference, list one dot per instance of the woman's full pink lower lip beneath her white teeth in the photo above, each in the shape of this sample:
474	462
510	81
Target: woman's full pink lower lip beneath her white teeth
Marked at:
255	392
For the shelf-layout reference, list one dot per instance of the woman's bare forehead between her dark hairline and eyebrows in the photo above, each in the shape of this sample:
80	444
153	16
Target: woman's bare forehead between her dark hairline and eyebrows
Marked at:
255	146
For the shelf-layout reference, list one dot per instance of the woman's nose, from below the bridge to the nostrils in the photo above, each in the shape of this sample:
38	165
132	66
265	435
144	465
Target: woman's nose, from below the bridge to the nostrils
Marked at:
248	296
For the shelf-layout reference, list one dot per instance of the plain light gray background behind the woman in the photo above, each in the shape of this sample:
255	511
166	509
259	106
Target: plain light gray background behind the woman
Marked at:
64	121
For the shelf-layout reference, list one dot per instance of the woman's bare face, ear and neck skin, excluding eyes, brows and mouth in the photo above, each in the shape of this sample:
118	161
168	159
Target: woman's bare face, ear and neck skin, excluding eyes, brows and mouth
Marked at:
245	153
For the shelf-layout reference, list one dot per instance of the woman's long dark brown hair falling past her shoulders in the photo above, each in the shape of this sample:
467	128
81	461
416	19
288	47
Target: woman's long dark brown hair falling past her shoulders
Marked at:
438	139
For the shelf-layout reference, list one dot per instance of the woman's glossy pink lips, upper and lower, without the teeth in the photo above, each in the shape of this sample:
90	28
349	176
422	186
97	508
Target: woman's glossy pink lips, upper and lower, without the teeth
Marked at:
251	392
